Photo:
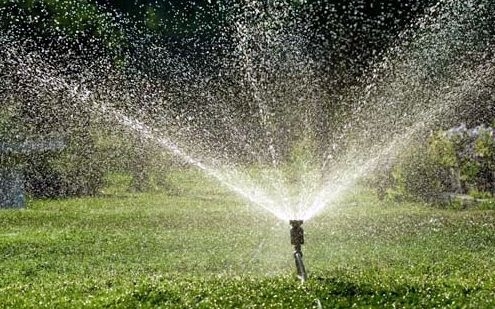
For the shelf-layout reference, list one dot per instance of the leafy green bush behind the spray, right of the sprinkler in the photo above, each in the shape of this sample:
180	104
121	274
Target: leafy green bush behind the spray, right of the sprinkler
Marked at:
459	160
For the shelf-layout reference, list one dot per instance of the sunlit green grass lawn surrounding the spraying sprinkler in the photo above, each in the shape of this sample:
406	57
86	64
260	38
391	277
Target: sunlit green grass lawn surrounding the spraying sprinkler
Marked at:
200	246
